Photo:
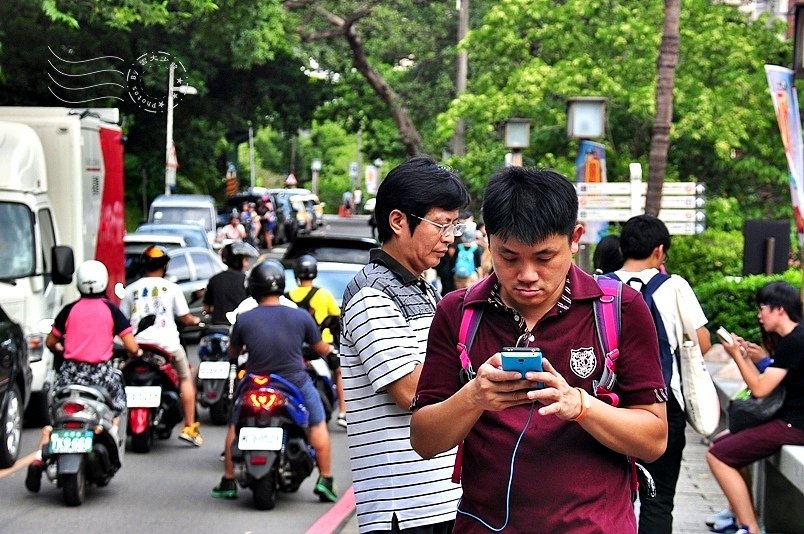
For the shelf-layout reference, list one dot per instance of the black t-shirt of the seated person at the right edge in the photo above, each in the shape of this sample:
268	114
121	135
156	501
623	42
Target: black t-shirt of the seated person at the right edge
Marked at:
789	354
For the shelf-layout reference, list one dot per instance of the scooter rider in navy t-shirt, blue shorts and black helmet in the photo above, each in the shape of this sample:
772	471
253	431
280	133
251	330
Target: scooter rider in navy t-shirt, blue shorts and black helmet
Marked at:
278	349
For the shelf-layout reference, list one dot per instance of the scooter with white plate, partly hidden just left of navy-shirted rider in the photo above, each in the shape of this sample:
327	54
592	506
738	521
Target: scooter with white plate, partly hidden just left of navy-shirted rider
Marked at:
216	378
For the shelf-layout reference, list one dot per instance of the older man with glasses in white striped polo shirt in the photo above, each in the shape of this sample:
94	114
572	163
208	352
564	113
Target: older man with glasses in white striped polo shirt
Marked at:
386	314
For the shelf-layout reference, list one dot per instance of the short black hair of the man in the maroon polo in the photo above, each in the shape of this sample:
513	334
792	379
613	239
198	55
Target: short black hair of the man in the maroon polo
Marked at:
529	205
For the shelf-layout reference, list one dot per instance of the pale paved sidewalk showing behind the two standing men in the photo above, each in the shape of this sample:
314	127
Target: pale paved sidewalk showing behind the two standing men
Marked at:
697	492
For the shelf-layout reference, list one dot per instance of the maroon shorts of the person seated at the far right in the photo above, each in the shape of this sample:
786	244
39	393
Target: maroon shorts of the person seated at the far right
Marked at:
755	443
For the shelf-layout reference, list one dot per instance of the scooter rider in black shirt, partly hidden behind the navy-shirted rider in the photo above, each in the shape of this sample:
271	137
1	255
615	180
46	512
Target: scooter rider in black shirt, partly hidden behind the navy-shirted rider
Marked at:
227	289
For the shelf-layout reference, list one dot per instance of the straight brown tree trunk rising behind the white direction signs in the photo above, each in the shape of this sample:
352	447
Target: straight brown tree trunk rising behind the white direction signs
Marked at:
660	140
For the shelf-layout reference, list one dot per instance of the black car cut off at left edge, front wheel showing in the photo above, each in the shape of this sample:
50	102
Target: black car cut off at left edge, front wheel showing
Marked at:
15	388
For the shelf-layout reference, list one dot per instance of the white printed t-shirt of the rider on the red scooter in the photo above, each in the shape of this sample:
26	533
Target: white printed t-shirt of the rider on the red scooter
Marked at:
160	297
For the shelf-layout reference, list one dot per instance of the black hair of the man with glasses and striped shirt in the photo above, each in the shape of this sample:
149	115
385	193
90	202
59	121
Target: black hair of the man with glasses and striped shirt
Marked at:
414	188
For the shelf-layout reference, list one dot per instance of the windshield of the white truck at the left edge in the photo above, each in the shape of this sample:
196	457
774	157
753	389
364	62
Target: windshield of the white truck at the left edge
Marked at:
16	241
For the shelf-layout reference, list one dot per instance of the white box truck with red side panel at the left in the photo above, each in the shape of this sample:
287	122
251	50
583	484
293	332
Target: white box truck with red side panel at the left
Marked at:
61	203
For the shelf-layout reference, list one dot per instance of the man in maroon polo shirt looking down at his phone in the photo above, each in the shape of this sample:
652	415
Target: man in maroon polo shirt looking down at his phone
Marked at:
551	459
